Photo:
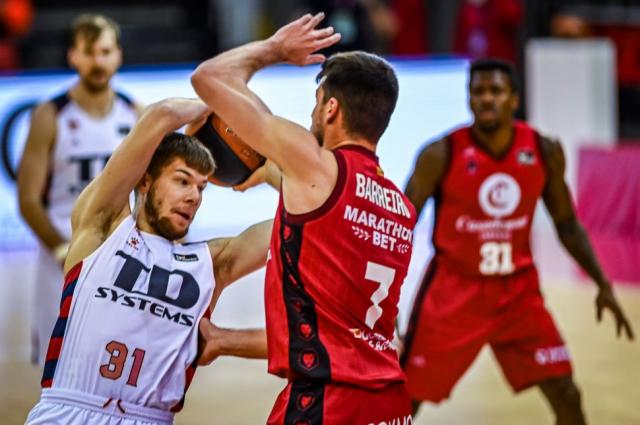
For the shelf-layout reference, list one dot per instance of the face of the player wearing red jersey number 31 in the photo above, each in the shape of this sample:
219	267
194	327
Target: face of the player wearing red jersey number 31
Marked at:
492	100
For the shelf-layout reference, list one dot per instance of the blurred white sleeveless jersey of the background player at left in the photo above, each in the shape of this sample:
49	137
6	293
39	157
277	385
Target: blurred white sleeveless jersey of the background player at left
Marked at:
82	147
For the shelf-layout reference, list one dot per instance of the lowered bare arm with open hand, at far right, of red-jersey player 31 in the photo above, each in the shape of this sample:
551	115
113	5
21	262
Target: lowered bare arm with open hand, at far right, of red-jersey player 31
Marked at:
572	235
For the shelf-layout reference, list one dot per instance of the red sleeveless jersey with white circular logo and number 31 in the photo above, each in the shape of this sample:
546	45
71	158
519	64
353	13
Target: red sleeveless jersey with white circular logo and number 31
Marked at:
485	206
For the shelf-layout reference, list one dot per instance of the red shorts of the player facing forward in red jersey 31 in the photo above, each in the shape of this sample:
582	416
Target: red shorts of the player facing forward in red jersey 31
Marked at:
455	316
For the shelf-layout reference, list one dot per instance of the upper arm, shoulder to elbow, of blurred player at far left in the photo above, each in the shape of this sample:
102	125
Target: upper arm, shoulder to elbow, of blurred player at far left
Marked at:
33	171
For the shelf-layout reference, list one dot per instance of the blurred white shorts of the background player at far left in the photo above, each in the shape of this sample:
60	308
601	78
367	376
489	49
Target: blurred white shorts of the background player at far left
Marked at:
47	293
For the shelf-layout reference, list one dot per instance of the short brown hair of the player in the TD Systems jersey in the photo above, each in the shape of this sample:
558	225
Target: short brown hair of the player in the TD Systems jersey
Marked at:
190	149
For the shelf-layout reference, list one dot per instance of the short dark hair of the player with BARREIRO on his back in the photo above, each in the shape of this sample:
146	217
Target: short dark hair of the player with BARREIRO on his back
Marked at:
366	87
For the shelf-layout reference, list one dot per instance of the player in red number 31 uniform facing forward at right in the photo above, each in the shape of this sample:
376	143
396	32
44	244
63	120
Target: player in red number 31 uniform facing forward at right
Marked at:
482	286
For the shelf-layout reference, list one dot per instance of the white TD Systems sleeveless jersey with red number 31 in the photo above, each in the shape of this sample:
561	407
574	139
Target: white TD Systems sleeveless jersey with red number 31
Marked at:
128	325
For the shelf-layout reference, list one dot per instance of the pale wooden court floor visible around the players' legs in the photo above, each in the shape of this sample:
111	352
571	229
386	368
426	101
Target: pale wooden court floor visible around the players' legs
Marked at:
239	392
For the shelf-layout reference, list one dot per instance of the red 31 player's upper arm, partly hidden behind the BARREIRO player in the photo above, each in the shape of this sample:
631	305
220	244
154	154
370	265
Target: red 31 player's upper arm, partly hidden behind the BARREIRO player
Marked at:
428	172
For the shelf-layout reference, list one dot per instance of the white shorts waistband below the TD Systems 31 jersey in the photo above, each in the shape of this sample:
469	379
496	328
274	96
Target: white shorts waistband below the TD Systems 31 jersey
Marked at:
63	407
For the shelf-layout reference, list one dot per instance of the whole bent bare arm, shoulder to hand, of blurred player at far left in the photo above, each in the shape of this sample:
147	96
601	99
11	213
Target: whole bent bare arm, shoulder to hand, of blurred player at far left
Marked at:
33	173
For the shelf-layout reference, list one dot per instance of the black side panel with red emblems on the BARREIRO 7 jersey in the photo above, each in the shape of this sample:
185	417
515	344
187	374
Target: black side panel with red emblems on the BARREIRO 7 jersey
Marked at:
308	357
